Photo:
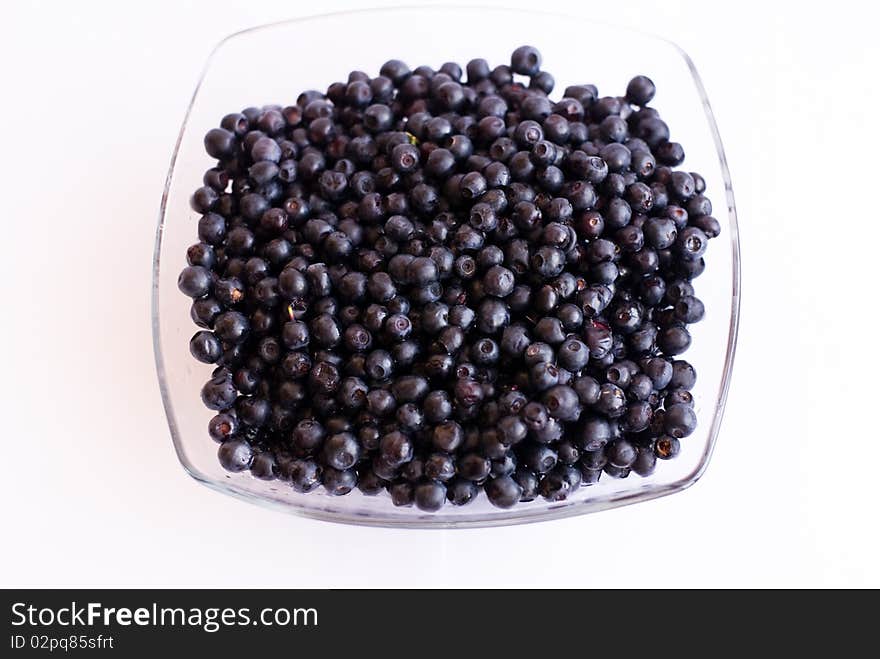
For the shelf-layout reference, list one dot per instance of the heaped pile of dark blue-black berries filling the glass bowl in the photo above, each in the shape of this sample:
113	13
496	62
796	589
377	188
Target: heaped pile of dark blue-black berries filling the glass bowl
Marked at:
433	283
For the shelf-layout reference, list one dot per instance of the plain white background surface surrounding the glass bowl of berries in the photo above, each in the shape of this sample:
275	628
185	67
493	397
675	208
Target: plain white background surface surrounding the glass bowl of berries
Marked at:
91	492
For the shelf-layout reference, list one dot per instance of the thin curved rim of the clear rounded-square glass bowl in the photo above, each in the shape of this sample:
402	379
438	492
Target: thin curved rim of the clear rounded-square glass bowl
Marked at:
508	517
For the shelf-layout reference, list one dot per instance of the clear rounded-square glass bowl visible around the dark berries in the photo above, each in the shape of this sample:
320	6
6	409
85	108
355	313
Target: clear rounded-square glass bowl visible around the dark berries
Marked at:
274	63
